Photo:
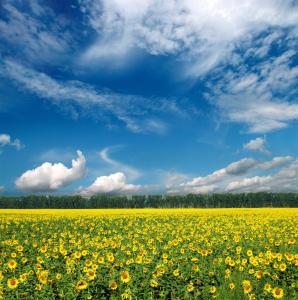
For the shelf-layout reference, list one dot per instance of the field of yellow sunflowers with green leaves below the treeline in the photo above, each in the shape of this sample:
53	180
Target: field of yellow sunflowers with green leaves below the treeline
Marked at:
149	254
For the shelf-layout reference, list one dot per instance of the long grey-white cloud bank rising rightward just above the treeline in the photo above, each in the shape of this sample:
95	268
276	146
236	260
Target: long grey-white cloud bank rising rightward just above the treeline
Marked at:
234	177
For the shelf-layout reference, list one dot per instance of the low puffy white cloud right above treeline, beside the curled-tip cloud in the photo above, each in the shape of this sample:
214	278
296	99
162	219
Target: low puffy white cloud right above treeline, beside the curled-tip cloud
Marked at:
112	184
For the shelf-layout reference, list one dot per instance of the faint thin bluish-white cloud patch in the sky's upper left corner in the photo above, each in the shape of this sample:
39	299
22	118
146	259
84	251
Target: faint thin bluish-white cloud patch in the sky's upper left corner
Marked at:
38	40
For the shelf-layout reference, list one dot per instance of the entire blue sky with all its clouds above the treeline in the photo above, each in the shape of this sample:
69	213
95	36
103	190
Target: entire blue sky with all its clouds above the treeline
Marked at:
143	96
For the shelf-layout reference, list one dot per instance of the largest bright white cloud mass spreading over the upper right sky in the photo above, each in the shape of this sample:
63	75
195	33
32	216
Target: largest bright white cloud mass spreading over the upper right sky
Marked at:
248	46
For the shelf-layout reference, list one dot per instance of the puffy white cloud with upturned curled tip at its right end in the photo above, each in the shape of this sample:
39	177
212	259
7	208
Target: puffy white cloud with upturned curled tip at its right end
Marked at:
50	177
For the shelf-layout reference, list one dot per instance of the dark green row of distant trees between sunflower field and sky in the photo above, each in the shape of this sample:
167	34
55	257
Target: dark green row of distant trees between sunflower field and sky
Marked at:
261	199
